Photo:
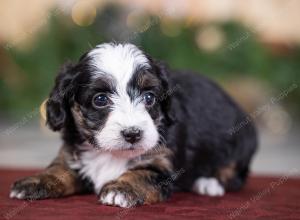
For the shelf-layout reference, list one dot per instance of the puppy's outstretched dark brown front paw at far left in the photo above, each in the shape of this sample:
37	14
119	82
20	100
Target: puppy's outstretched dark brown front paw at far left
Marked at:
37	187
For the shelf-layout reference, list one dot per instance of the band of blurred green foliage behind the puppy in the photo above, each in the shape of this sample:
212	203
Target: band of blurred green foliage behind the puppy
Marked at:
62	40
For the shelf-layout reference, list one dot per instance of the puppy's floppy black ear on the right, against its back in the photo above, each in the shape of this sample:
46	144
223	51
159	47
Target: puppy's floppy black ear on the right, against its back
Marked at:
165	100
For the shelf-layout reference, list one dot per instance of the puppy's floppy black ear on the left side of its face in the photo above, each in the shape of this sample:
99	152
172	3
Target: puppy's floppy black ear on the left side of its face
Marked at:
57	106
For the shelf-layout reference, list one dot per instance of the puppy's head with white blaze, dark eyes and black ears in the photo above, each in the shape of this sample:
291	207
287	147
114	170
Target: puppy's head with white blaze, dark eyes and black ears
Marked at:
115	97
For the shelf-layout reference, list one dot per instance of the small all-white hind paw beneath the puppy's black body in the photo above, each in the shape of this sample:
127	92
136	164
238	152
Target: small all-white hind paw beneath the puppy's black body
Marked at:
208	186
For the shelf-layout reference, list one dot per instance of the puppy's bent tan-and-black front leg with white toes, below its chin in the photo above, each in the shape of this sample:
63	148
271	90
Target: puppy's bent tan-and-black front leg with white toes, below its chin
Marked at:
140	184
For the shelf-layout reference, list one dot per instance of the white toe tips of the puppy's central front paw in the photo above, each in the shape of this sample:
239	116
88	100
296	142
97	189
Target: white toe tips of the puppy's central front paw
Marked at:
115	199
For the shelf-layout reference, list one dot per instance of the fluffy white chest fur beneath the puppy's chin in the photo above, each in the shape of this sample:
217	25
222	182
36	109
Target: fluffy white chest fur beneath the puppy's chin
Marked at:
100	167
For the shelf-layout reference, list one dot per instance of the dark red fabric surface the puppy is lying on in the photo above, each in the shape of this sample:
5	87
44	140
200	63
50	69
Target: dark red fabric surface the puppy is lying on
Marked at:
262	198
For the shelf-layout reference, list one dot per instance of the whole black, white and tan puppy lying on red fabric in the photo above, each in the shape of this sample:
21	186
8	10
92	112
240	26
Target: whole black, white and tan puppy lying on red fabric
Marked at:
134	131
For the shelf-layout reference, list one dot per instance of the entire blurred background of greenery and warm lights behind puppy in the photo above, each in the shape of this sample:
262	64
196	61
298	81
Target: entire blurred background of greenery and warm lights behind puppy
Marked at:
250	47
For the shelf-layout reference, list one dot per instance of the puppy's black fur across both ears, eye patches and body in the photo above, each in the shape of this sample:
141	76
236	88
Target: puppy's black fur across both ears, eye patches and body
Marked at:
198	117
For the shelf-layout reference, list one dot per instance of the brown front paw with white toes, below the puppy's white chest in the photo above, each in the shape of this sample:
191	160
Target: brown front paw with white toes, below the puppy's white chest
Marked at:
120	194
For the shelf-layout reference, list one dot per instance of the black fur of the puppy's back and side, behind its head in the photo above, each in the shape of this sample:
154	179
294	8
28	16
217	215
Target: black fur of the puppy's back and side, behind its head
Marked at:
201	138
